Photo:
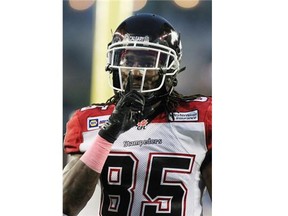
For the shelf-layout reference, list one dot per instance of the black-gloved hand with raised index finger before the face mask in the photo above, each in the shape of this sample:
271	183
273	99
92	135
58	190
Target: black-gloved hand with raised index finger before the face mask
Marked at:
126	114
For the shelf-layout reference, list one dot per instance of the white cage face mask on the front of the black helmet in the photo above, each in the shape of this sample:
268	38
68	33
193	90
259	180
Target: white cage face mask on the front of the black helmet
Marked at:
148	63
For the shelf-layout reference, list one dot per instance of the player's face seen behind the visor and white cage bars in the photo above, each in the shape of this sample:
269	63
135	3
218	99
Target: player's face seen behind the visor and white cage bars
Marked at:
138	63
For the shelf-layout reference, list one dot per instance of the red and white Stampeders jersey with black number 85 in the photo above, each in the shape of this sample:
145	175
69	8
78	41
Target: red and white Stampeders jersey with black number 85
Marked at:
151	169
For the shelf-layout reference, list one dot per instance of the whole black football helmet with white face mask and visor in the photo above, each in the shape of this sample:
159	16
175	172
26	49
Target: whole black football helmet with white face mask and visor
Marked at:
147	47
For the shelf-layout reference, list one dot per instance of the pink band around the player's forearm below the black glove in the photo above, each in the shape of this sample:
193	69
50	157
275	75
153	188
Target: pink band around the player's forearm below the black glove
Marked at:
97	154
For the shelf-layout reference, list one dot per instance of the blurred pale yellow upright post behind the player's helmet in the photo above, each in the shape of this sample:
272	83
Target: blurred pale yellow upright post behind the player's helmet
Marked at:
109	14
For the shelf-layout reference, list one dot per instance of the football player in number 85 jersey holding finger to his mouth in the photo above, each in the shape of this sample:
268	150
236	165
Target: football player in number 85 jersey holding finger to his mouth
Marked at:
149	147
